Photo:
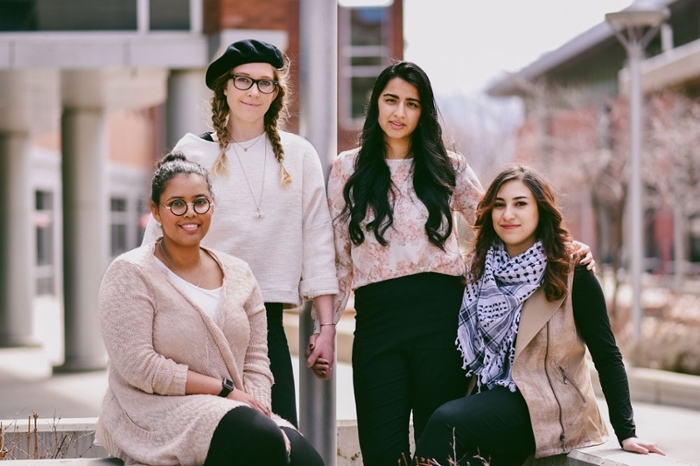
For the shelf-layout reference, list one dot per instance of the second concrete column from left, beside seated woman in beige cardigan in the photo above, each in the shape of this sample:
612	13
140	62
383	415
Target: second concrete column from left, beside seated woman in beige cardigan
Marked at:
85	234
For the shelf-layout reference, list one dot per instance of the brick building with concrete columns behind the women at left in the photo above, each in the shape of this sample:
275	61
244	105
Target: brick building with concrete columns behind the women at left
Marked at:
91	94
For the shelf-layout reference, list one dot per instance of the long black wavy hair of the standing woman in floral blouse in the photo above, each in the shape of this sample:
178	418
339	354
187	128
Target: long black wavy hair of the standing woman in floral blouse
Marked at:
433	173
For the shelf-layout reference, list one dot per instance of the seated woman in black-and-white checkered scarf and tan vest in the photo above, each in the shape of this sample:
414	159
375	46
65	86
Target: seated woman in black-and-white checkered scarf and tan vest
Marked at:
527	317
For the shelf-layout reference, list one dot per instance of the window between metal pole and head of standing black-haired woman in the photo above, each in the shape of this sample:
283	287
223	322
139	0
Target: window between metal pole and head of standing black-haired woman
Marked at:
364	50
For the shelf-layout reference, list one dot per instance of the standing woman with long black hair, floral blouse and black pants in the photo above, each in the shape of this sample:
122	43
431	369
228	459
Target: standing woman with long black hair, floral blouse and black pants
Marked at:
391	201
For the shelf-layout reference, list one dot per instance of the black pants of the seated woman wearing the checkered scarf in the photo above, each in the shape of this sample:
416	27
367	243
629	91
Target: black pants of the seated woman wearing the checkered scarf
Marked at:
493	423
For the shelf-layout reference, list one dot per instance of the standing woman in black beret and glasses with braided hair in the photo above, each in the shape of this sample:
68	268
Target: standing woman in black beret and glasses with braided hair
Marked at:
271	209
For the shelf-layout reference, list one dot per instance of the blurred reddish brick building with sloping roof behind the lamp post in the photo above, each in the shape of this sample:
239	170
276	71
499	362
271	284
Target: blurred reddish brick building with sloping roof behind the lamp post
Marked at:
576	129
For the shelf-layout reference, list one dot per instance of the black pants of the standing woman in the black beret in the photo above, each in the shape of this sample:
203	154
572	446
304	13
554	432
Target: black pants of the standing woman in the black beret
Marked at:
283	394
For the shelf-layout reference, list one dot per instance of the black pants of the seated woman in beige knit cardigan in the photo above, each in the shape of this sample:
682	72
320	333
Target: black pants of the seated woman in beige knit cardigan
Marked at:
245	436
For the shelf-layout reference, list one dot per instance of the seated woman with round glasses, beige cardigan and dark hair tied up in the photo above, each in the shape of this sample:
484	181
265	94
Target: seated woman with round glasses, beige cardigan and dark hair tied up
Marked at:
184	327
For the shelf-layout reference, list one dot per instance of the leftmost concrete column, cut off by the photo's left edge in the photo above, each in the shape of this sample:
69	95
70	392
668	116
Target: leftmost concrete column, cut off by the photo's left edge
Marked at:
16	240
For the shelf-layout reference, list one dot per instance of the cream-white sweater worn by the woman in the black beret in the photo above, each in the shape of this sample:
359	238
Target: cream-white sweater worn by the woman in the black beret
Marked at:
289	249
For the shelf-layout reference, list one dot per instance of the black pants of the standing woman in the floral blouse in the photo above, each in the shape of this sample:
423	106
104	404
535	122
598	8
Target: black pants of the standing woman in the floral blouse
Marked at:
404	360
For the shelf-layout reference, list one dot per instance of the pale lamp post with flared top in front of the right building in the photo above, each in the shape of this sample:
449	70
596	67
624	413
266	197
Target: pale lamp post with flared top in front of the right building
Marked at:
635	26
